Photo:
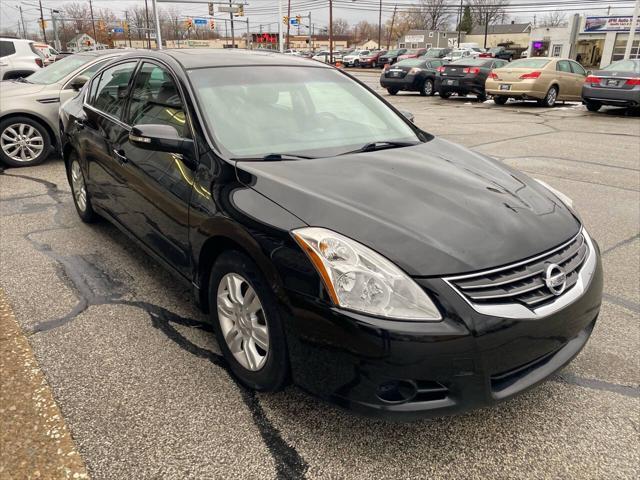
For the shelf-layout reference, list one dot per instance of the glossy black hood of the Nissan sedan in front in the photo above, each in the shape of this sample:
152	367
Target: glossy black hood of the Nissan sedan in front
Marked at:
434	209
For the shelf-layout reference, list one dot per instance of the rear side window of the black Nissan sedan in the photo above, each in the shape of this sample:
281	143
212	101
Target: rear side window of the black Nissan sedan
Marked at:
110	93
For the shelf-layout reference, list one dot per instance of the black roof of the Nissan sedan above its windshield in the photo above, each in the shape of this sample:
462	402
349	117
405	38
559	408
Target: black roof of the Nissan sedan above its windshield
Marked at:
218	57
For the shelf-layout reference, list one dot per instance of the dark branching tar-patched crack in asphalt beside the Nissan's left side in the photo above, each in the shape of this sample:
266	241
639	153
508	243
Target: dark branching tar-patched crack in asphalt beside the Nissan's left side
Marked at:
94	286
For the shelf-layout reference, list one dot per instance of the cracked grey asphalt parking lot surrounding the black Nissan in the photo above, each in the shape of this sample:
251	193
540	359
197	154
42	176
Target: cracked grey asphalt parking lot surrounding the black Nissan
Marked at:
135	371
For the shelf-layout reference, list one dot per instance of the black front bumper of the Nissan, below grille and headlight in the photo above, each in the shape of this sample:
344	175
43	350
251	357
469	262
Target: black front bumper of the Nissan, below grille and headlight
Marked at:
407	370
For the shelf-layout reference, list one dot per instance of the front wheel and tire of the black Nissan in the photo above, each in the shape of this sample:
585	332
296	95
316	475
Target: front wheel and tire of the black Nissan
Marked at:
268	371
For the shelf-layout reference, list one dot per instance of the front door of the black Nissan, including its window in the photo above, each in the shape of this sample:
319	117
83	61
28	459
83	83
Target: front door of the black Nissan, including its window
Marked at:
158	184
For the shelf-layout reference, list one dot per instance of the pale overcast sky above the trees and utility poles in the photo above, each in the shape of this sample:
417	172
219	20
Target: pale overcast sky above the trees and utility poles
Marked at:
265	11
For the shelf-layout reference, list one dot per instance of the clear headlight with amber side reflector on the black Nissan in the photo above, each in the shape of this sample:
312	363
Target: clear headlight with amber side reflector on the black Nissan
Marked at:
357	278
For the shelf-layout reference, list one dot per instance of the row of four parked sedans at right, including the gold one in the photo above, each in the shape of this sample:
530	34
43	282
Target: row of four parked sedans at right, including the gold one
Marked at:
545	80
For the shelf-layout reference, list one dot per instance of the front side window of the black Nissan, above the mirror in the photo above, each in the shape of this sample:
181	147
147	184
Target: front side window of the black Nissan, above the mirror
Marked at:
155	99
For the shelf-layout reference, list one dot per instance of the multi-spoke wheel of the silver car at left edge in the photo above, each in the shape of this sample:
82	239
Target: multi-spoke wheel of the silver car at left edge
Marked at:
23	129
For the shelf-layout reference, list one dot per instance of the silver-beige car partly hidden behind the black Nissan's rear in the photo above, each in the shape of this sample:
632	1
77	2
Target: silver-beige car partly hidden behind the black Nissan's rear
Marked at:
29	128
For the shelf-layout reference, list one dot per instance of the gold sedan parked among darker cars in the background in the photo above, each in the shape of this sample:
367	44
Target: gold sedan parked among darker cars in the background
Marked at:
544	79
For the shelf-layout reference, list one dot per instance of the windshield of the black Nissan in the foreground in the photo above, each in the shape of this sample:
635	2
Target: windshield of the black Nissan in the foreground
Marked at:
253	112
